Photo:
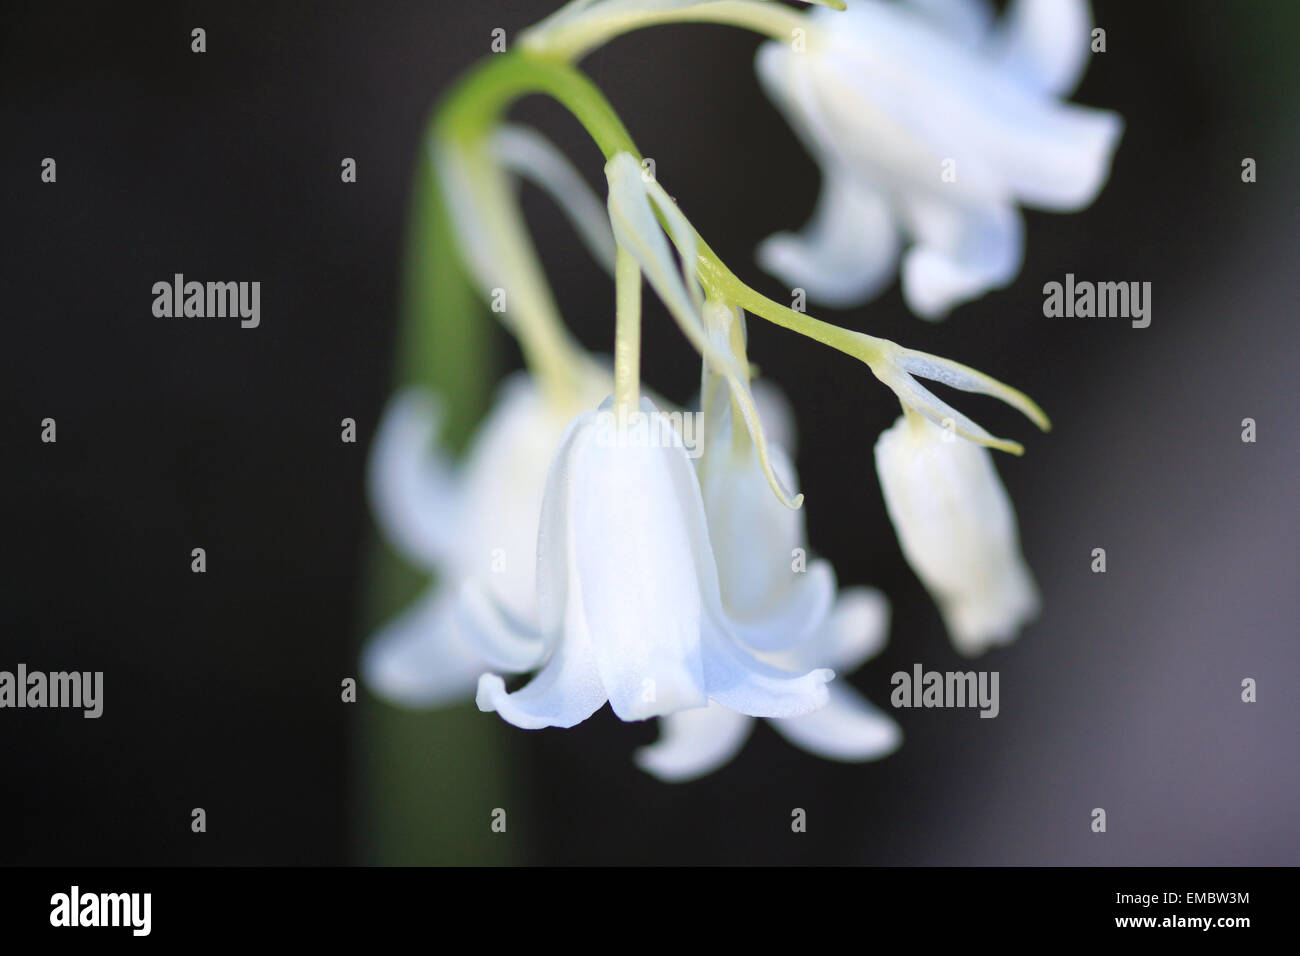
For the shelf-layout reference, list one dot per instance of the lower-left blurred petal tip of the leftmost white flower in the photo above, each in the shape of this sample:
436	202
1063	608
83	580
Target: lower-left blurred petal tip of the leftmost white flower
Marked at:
418	660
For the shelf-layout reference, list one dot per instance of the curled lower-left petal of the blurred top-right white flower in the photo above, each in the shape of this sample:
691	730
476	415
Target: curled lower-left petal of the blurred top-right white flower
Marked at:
848	250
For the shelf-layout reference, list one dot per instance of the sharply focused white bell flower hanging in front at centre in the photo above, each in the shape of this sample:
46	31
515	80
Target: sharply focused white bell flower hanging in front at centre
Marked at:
631	611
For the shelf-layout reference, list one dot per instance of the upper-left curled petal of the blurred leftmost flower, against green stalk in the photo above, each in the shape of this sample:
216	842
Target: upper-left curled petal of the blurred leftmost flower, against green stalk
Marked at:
413	486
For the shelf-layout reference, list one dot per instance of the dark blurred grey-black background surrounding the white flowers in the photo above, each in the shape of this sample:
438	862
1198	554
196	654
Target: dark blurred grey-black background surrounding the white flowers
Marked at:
223	690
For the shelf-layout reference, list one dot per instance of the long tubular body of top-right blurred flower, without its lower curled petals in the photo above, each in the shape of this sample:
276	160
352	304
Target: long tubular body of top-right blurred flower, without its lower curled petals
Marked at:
900	103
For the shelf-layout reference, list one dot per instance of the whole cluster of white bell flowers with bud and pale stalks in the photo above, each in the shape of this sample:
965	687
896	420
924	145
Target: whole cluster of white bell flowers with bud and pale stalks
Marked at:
582	543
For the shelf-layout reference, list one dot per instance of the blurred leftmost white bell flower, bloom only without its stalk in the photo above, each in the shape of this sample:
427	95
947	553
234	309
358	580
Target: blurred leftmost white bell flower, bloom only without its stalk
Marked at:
474	526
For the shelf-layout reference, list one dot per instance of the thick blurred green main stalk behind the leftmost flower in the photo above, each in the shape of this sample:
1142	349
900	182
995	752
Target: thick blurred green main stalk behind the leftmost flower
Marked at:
431	780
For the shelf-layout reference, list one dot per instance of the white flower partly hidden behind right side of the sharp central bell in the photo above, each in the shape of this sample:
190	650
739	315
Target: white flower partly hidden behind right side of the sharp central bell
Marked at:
786	609
